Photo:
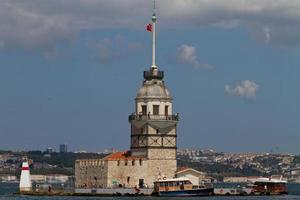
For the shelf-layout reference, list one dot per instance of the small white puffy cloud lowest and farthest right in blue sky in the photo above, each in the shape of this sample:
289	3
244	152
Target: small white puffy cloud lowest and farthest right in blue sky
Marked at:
246	89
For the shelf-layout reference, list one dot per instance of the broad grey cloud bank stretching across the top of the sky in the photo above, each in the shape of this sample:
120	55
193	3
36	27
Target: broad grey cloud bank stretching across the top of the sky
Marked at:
40	25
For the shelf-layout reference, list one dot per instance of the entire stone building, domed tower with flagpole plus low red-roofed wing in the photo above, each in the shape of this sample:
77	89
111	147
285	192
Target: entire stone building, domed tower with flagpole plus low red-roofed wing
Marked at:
152	154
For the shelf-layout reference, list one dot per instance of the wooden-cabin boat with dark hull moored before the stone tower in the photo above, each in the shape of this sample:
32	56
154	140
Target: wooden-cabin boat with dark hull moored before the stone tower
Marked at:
179	187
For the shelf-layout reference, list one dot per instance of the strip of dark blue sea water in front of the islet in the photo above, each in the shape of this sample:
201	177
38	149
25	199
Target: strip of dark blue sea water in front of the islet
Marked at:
7	192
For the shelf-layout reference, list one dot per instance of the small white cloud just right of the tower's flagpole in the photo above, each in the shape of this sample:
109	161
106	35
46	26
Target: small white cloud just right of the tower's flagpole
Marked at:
187	55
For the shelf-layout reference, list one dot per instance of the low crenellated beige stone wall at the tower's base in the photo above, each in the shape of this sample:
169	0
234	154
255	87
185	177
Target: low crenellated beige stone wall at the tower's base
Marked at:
98	173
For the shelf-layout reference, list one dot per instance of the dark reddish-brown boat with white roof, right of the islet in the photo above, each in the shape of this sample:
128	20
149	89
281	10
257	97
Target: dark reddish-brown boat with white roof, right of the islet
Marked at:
274	185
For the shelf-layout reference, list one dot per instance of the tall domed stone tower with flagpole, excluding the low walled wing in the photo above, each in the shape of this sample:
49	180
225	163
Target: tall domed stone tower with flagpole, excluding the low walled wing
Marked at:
153	124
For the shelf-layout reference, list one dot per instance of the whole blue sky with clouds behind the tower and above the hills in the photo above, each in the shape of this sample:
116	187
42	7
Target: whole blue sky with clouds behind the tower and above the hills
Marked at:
70	70
